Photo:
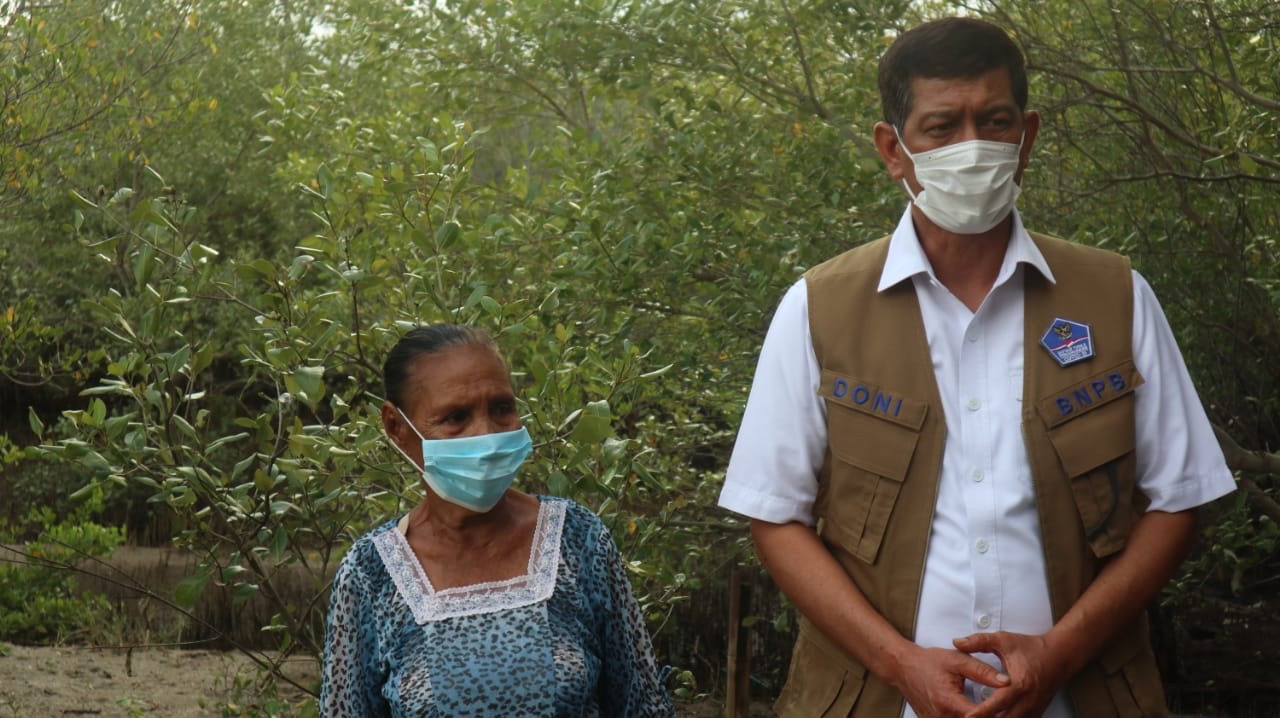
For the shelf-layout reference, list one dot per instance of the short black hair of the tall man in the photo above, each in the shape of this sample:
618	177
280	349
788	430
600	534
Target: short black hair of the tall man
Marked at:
947	49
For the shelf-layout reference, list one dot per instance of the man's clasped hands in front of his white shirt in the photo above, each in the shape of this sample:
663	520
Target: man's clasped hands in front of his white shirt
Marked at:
934	680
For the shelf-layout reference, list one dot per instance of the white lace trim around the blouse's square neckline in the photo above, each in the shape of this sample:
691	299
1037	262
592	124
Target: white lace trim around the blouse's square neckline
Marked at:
429	605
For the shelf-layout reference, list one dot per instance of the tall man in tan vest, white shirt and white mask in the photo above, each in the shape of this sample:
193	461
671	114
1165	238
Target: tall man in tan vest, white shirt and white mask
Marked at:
972	455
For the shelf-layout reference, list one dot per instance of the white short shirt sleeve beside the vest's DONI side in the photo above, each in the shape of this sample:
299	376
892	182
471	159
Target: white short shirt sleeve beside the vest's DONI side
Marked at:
774	470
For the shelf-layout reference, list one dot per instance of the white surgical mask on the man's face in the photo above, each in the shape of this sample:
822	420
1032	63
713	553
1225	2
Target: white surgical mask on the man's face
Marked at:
967	187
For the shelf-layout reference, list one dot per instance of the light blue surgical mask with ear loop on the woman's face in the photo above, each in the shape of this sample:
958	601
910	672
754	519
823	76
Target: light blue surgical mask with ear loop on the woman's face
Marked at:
473	472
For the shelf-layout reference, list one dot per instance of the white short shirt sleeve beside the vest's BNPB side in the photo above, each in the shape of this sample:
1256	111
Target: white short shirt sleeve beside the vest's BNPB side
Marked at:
1181	464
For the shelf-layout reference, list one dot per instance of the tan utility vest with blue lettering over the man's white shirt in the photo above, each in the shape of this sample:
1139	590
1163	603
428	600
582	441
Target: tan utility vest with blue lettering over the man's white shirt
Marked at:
886	436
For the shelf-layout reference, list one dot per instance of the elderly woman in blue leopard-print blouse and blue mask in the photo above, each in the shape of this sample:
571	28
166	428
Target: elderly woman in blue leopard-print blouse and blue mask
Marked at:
482	601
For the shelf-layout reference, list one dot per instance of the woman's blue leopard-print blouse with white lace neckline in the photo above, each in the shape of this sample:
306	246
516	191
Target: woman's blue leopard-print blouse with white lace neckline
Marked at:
565	639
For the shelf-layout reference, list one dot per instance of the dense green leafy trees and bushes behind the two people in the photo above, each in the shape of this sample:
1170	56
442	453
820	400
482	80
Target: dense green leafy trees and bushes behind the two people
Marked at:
217	216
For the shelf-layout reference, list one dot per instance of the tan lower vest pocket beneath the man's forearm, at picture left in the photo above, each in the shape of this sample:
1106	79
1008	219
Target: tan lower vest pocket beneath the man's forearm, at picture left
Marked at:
822	680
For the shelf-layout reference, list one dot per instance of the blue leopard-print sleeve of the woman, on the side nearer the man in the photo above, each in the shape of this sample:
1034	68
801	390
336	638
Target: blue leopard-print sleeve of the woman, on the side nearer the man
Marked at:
630	682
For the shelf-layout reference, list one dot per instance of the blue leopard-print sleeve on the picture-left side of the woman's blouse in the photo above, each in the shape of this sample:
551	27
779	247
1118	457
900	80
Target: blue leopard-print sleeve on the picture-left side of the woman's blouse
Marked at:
350	678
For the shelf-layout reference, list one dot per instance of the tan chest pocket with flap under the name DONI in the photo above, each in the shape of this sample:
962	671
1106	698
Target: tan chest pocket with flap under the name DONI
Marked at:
868	465
